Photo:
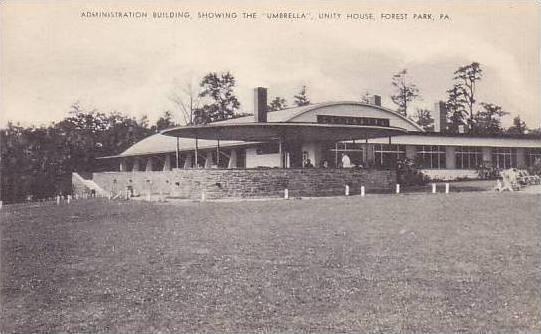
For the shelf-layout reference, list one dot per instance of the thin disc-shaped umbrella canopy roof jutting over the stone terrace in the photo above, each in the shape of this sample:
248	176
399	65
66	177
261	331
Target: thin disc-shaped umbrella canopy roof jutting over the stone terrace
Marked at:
285	130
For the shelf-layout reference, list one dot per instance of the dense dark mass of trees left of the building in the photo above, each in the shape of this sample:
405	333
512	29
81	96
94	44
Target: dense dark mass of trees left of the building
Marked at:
35	161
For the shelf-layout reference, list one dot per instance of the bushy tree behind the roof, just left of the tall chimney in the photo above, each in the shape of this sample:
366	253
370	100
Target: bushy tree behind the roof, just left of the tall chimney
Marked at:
218	89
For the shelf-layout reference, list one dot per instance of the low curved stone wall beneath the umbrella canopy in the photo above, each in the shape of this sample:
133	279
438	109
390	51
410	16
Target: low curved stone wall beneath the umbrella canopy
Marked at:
247	183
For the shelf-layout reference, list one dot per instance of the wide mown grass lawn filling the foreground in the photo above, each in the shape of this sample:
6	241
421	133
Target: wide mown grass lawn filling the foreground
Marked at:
467	262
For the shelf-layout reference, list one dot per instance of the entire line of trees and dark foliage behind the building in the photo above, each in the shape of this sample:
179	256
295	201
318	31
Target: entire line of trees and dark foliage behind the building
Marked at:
37	162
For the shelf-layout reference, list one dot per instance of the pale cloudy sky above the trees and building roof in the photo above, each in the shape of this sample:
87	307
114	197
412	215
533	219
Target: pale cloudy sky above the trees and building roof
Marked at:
51	56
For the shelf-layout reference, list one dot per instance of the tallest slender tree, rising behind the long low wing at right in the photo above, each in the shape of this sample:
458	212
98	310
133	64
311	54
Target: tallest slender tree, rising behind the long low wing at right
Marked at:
466	78
